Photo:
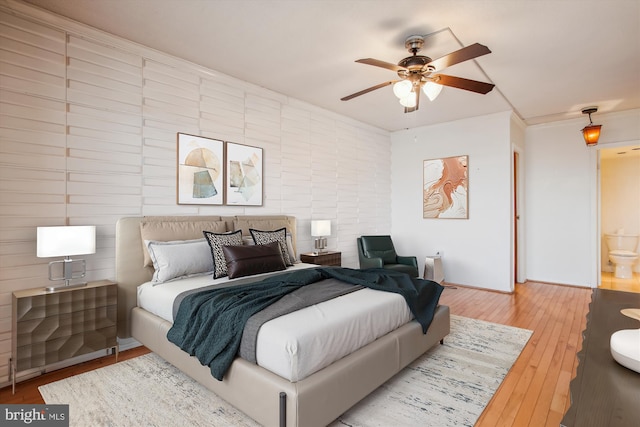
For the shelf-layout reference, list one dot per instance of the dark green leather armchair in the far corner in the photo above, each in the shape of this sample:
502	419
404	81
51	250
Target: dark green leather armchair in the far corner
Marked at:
379	252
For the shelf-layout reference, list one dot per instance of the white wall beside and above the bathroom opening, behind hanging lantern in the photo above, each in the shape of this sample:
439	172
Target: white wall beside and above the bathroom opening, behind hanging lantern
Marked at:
563	225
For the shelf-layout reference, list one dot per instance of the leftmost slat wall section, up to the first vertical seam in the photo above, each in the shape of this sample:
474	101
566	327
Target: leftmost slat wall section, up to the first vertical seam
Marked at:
32	155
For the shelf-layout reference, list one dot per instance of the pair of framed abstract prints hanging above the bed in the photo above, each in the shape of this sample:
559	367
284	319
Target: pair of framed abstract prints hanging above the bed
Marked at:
215	172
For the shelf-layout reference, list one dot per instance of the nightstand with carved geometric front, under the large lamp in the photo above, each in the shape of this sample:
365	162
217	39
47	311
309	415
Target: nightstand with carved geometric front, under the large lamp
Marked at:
48	327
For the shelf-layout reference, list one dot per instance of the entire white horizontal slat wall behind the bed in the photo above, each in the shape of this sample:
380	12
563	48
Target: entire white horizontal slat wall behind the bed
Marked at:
88	127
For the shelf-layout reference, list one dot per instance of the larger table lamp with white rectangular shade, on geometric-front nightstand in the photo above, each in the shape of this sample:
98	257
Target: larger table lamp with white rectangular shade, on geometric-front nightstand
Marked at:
66	241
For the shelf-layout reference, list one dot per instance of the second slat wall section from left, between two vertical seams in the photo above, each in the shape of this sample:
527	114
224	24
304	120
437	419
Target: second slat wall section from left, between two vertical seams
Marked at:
104	95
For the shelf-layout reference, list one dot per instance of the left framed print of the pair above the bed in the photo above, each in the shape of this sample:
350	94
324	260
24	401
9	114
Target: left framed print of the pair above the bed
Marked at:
200	170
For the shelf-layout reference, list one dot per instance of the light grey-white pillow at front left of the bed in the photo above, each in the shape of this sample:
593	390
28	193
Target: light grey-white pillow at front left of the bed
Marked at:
179	258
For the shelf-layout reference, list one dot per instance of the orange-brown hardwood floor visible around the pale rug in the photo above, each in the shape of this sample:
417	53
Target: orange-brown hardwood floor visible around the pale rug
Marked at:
534	393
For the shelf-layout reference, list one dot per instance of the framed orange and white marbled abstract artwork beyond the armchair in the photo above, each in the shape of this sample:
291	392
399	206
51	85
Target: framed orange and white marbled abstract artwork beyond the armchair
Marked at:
445	188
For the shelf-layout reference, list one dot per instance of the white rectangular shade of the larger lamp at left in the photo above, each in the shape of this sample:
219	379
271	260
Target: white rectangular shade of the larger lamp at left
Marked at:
66	241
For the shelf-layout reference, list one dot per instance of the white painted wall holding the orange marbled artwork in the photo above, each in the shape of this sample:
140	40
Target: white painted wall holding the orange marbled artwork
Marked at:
476	251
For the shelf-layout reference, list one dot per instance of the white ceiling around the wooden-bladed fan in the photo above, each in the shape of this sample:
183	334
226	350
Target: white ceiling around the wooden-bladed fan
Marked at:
550	58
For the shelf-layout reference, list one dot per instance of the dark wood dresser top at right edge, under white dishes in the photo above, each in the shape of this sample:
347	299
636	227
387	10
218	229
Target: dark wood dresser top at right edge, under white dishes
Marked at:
605	393
